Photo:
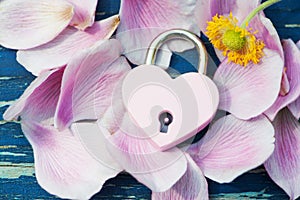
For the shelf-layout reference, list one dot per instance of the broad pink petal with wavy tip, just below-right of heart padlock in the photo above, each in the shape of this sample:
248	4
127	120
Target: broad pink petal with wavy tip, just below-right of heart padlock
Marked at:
233	146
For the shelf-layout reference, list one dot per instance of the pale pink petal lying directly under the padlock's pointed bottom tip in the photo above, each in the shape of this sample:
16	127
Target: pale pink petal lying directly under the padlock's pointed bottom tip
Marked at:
137	155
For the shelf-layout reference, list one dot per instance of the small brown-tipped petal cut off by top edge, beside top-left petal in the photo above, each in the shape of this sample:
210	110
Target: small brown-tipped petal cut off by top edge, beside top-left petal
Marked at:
84	13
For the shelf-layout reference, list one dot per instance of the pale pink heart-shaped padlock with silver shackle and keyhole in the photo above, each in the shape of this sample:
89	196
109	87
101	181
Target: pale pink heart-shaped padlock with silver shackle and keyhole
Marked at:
168	110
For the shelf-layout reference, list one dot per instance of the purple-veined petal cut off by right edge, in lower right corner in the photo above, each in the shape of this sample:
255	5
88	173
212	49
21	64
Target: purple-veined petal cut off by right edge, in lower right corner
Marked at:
284	164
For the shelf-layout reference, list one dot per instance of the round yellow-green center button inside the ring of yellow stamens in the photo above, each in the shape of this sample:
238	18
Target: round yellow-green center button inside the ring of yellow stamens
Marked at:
233	40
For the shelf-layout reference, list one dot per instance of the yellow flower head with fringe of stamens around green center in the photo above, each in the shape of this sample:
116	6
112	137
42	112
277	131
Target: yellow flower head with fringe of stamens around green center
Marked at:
237	43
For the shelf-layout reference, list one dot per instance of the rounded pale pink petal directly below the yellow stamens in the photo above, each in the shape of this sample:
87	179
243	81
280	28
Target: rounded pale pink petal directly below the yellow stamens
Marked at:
246	92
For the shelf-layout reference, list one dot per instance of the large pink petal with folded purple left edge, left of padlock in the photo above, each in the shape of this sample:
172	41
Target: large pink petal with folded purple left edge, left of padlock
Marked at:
88	83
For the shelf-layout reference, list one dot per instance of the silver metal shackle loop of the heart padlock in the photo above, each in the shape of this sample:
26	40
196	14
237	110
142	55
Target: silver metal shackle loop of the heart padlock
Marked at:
177	34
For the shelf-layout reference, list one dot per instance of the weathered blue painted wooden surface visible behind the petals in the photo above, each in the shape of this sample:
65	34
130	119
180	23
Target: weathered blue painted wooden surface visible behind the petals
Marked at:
17	180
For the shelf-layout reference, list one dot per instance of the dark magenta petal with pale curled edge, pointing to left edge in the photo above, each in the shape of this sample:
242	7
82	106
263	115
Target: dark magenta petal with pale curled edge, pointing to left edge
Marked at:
39	100
